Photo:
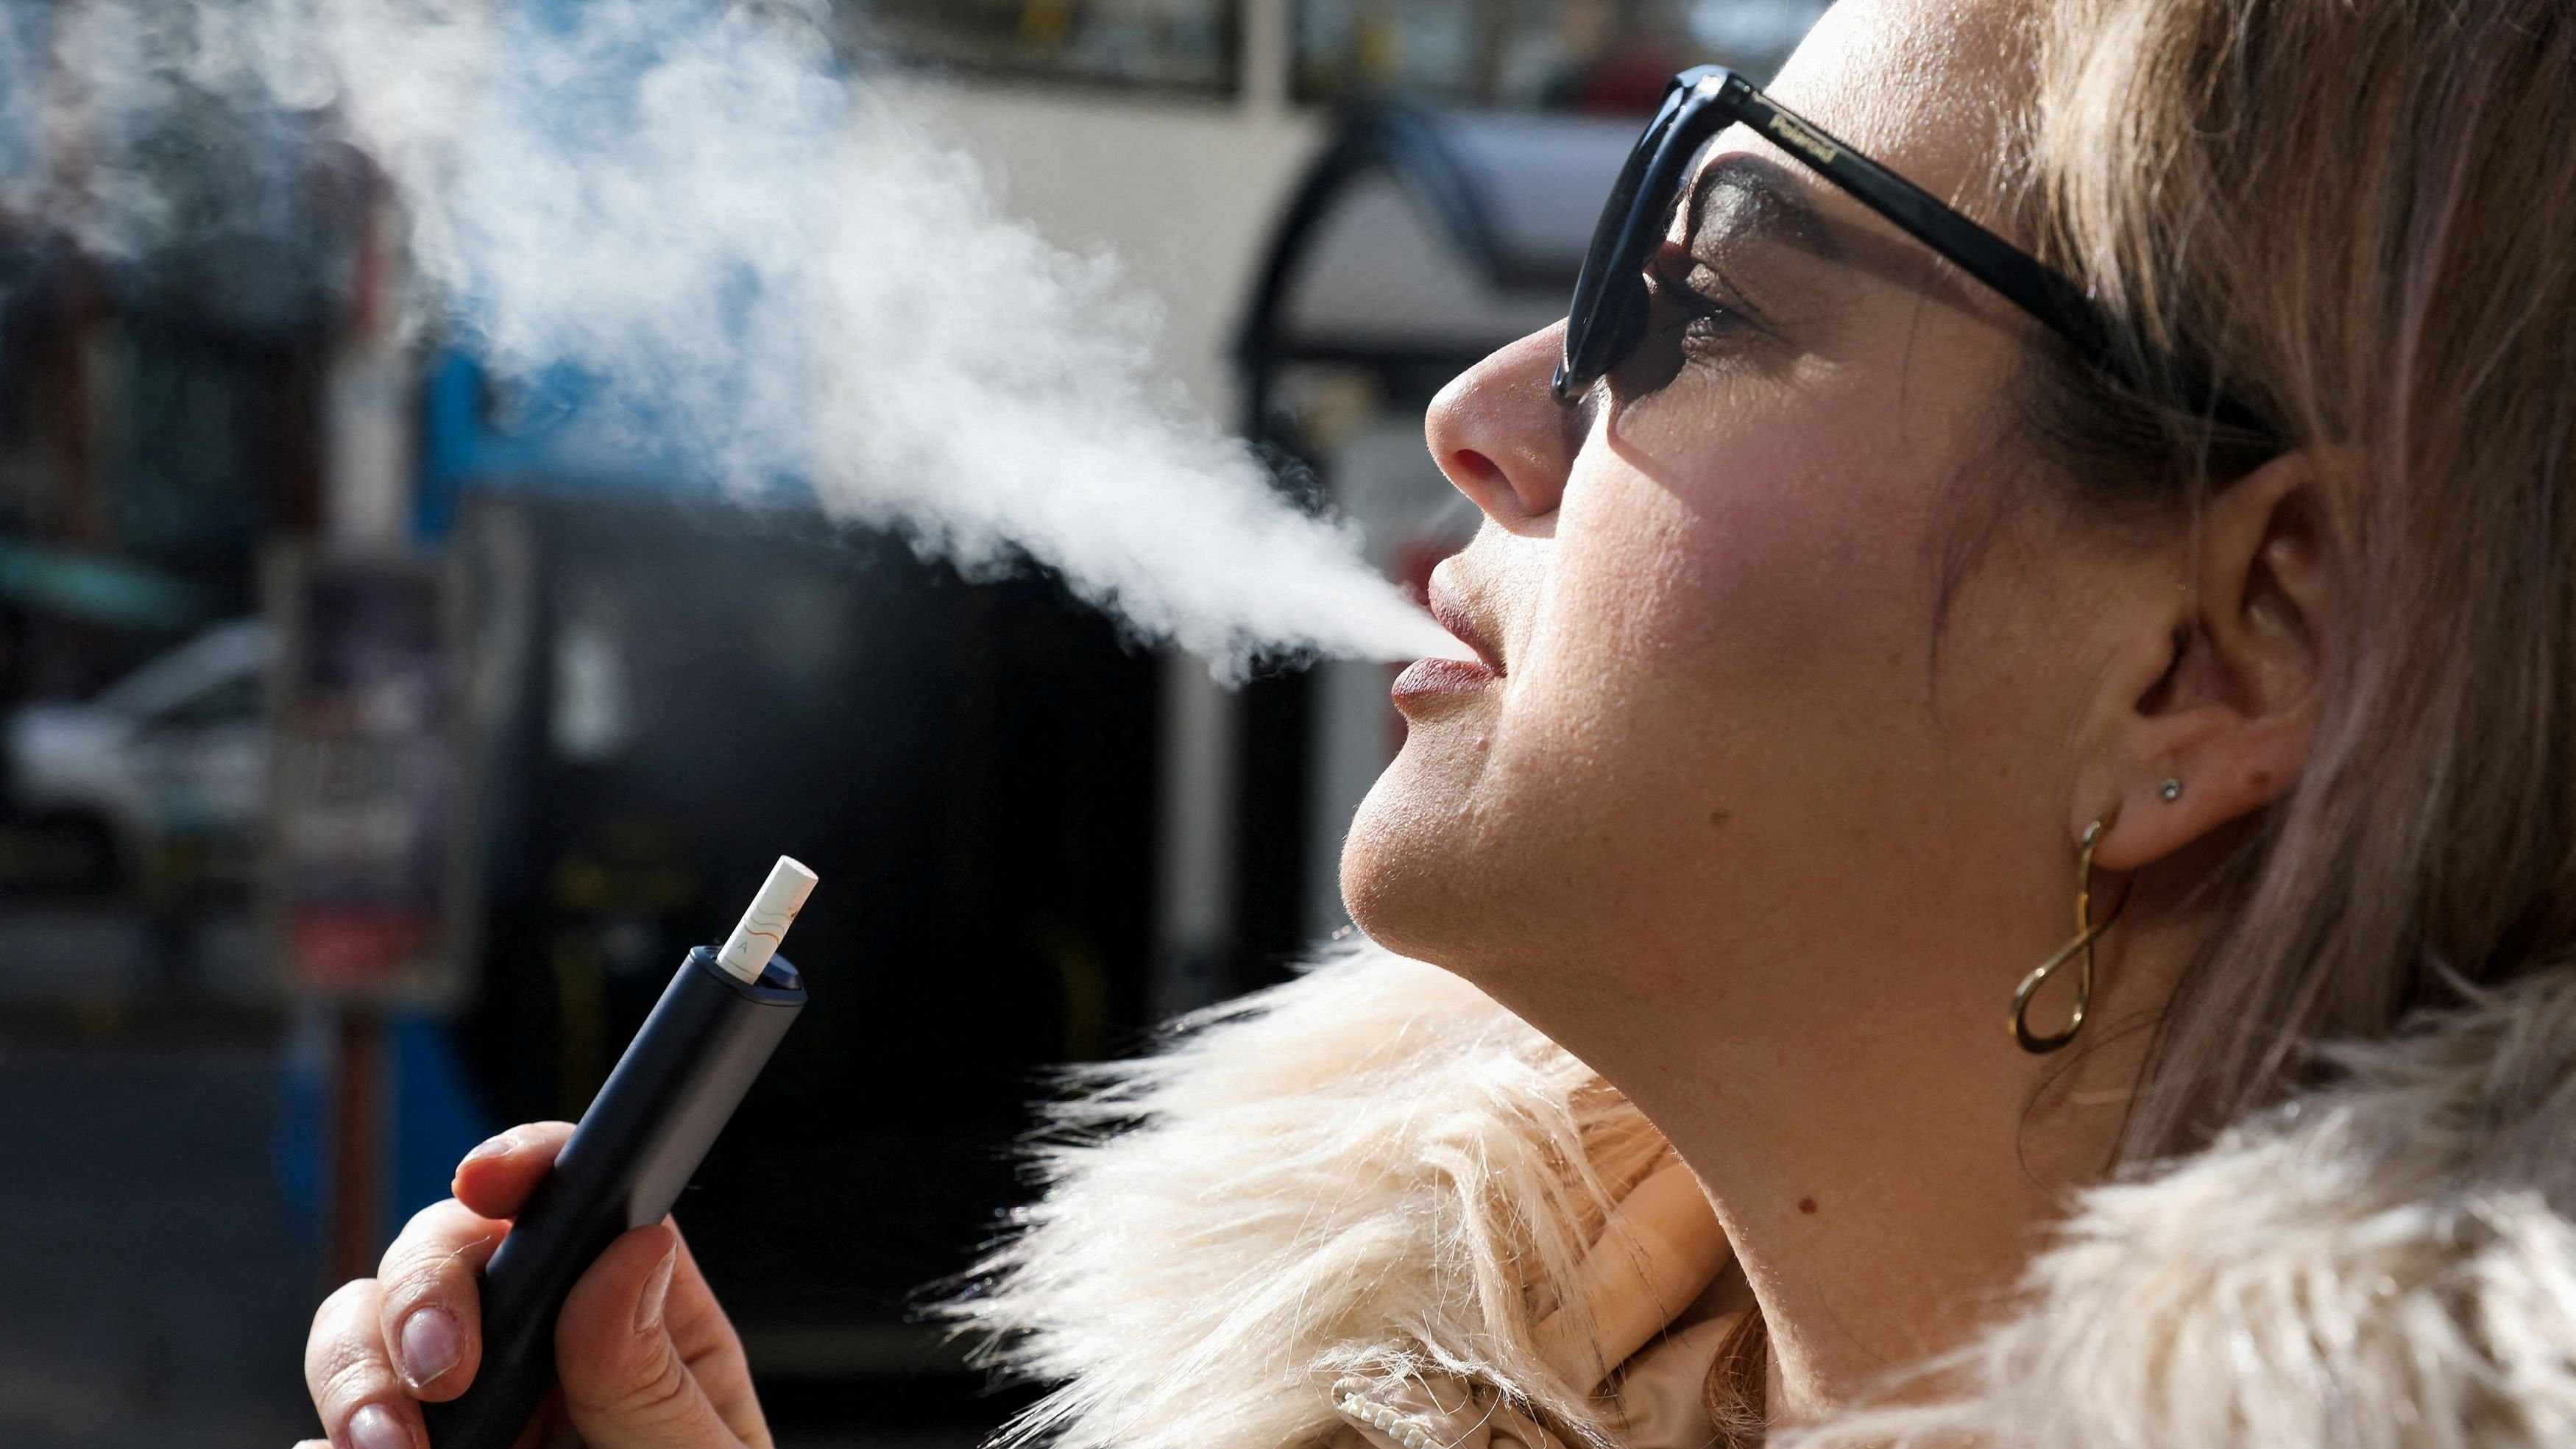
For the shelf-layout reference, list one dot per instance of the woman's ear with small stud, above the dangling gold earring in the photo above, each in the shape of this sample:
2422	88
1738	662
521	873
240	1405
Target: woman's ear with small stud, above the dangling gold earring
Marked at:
2224	701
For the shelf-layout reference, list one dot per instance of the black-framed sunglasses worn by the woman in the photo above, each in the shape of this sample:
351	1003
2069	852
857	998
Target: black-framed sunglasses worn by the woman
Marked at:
1609	310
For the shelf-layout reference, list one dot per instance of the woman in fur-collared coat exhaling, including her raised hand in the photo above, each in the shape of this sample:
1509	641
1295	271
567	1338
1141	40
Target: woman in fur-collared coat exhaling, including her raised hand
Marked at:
1882	604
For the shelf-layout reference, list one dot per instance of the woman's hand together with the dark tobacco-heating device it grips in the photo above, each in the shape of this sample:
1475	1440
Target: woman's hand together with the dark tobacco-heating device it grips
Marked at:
591	1273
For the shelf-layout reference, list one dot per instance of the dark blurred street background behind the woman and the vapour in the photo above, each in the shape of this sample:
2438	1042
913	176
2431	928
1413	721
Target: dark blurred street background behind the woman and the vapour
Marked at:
367	763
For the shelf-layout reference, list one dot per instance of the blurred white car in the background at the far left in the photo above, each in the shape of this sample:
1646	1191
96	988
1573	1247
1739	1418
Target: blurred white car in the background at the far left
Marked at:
176	750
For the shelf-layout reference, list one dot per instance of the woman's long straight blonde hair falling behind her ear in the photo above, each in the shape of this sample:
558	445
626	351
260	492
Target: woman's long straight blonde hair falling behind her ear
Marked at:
2361	215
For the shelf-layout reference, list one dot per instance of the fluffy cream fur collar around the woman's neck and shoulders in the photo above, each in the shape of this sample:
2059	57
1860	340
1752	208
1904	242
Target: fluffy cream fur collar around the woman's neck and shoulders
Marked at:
1379	1177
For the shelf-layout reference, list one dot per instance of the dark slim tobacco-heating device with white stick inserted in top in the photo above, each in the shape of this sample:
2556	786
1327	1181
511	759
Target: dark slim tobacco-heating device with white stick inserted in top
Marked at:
630	1157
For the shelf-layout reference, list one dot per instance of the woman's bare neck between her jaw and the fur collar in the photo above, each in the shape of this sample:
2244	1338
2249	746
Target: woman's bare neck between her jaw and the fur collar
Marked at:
1887	1175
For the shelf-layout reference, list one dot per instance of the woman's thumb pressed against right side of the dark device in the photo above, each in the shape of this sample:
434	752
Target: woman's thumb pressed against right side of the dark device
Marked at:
625	1381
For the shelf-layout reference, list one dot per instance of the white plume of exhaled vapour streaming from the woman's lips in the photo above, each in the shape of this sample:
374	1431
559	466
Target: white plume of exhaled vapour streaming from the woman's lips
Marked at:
769	269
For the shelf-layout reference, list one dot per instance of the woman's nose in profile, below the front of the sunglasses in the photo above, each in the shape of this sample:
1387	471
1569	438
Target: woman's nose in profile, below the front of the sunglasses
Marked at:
1503	439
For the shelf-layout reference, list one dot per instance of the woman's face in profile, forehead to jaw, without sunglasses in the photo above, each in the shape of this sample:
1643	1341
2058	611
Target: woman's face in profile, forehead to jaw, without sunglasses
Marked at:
1740	709
